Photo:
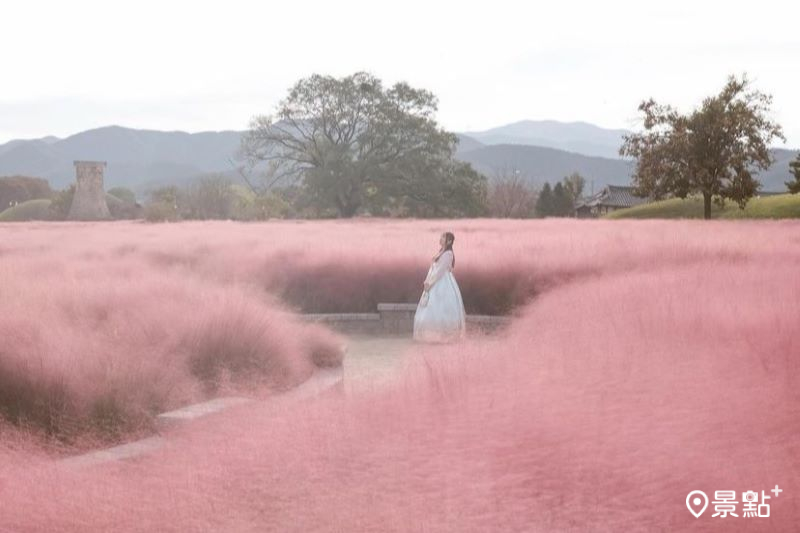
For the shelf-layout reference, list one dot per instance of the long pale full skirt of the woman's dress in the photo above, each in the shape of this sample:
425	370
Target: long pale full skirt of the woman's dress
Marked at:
443	318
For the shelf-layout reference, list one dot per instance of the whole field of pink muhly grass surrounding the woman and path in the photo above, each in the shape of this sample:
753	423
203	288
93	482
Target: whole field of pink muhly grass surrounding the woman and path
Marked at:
646	359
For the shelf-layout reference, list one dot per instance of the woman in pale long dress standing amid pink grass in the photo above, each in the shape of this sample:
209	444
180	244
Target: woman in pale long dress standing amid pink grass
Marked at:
440	315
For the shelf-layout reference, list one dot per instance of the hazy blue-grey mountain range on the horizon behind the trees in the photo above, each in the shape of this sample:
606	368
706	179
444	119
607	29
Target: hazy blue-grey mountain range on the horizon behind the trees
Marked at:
143	159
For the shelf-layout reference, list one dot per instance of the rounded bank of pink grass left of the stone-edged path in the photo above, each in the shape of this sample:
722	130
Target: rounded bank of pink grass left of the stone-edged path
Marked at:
97	344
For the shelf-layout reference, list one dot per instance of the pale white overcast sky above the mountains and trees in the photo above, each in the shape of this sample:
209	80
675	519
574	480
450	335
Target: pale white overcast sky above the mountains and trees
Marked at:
197	66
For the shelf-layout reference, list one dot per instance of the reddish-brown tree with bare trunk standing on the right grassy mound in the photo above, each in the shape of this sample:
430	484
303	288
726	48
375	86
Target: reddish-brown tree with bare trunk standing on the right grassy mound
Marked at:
715	150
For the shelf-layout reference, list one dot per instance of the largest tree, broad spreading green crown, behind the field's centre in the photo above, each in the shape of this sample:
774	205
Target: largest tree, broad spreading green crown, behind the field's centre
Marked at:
354	144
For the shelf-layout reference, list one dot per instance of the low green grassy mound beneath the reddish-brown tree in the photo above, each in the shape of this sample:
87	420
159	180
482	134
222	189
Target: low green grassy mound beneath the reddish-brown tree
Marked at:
777	206
